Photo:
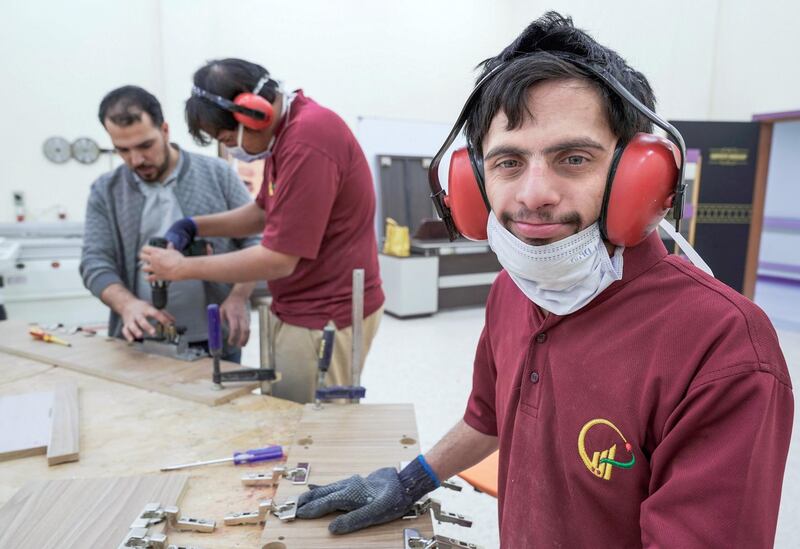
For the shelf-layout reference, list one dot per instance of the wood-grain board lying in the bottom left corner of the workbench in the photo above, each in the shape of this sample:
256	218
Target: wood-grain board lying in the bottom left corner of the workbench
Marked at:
76	514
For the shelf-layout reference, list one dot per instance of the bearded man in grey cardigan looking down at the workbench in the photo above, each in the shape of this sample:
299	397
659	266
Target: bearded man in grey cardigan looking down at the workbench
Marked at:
158	184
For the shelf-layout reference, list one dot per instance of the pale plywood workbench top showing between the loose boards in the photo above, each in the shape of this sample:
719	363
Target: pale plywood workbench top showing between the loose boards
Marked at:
129	431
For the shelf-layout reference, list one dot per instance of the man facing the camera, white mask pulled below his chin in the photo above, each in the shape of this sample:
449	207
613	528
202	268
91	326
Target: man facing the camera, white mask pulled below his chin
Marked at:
635	400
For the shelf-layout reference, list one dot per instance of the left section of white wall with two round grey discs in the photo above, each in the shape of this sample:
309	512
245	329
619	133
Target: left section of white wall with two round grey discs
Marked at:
58	60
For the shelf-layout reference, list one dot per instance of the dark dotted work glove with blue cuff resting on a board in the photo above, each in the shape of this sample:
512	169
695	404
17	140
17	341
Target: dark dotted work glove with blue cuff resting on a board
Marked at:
383	496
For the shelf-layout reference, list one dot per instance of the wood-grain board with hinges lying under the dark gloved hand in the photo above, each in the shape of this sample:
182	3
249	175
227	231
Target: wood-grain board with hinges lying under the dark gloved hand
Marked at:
339	441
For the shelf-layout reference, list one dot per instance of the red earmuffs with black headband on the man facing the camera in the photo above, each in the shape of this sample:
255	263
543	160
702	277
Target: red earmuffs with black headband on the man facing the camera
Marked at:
645	178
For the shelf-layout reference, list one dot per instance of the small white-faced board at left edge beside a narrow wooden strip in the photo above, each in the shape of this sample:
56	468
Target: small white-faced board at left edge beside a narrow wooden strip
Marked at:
24	425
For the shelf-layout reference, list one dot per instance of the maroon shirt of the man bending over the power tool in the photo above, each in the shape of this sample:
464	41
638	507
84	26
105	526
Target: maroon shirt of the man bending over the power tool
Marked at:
320	206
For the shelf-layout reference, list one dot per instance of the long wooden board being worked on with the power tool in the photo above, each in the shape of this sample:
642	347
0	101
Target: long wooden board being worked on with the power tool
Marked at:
113	359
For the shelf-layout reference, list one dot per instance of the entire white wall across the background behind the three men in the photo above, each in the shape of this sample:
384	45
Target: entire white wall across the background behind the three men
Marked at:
409	60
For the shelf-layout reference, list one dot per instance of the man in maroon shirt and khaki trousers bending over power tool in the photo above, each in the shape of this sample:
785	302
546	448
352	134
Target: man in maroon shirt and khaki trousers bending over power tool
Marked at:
316	210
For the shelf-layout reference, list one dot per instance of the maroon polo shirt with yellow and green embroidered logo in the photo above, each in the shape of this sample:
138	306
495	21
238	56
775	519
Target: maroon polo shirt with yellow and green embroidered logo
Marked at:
659	415
